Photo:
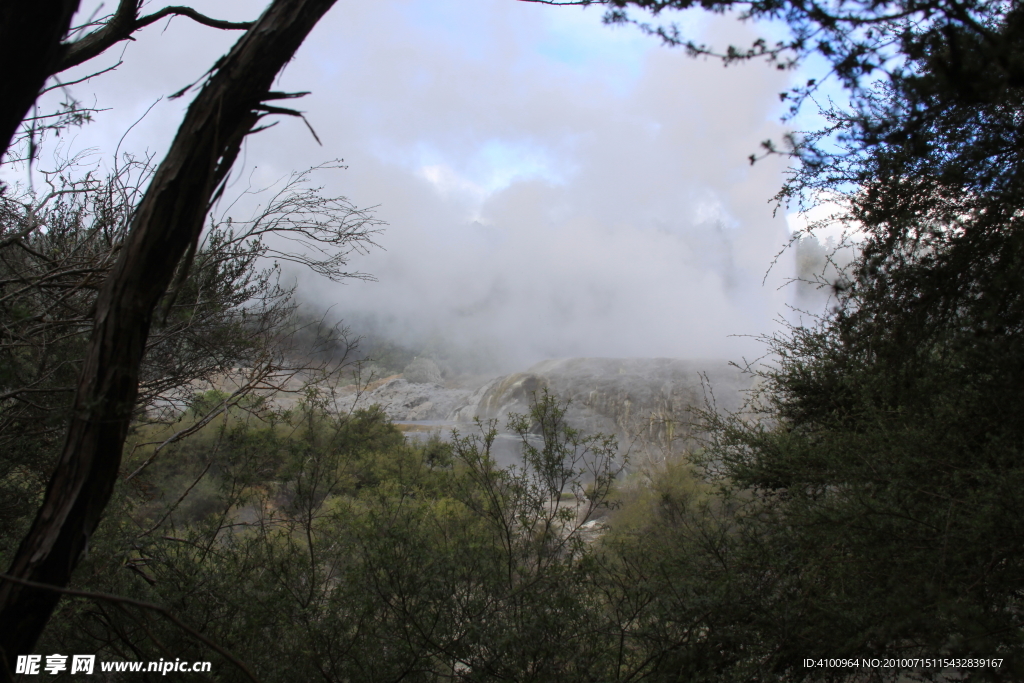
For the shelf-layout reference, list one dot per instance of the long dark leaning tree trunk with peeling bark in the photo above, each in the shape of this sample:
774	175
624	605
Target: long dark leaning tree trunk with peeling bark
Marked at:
169	219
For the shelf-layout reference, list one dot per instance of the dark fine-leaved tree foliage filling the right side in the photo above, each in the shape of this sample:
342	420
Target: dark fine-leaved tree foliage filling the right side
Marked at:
880	481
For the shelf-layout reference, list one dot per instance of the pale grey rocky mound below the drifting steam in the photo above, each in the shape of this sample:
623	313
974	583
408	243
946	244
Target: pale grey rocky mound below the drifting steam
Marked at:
646	403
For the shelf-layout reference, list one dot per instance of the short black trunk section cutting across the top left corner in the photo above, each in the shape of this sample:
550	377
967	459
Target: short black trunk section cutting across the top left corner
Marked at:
31	35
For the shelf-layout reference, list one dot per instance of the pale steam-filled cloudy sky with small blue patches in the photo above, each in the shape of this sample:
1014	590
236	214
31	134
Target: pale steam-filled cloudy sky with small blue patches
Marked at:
552	187
